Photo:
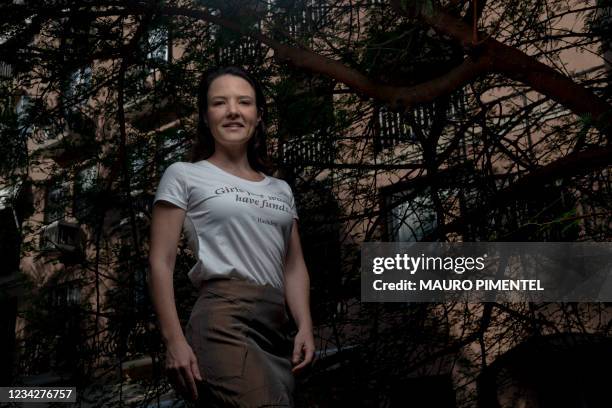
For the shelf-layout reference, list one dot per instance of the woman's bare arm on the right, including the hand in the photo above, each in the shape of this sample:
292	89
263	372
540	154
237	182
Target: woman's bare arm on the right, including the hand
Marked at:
297	288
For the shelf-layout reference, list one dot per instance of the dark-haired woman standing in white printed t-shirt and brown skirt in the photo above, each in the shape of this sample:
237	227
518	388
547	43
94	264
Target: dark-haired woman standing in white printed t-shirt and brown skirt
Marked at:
241	224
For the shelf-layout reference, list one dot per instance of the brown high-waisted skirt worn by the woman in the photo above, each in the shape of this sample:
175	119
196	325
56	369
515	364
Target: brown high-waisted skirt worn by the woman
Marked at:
239	332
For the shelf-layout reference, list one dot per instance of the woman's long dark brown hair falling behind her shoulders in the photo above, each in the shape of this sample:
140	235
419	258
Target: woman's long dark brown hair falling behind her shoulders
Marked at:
204	146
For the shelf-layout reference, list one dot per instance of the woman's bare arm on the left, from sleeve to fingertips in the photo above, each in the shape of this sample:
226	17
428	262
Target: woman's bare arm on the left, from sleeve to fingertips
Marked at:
181	363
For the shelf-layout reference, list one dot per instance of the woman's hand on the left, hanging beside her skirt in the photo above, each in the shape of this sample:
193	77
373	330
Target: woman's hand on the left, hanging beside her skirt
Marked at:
182	367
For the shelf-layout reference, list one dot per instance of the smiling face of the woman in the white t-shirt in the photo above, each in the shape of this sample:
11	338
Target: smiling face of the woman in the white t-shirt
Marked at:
232	114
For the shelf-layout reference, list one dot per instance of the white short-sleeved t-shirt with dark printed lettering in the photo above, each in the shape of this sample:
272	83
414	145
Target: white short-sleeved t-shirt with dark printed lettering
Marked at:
237	228
